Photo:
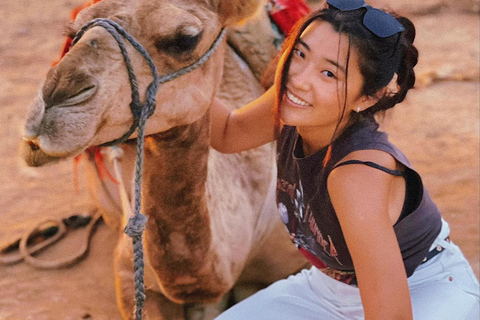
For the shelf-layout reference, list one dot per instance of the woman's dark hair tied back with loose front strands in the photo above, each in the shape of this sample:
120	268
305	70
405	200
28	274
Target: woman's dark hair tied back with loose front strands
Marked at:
379	58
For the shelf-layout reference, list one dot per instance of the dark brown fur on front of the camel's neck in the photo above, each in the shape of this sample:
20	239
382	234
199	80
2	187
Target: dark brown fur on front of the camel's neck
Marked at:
175	173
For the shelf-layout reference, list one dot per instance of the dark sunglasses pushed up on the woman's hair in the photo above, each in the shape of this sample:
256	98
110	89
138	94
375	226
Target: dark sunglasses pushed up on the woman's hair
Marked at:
377	21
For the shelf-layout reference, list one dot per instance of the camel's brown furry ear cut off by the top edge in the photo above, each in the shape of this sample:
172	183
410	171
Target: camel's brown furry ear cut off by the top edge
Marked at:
233	11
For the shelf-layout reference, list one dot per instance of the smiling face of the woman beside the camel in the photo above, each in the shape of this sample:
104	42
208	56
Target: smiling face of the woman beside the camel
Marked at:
316	83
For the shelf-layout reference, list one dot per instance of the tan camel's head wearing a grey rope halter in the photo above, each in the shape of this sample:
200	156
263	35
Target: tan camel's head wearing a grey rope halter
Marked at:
85	98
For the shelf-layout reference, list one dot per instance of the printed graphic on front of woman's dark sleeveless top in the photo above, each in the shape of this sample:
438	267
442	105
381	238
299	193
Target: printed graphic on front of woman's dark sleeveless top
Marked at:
300	221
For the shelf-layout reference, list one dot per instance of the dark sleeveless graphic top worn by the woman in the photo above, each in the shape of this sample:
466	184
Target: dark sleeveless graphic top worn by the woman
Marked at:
305	207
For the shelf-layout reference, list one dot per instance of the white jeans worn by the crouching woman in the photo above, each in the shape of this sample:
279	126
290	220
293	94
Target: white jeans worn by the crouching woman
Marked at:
443	288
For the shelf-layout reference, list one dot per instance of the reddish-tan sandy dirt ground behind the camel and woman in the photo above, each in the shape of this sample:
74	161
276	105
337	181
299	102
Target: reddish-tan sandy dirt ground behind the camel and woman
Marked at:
437	127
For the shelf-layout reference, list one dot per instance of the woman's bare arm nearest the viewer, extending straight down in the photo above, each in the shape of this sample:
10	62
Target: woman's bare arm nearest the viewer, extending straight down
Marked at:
362	198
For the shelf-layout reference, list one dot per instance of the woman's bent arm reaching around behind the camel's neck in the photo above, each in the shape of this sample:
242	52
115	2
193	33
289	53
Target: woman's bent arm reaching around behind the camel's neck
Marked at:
245	128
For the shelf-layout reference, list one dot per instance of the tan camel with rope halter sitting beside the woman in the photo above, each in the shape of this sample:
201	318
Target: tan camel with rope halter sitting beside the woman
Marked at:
212	219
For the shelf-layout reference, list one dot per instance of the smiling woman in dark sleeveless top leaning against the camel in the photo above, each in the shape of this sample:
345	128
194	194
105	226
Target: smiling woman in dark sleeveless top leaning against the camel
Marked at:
350	200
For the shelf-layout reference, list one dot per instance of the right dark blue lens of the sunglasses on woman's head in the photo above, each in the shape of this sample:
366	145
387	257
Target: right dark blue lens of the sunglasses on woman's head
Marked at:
381	23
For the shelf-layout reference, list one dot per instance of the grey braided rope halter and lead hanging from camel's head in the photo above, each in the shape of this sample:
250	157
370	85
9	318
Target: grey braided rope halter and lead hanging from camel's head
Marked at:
136	223
